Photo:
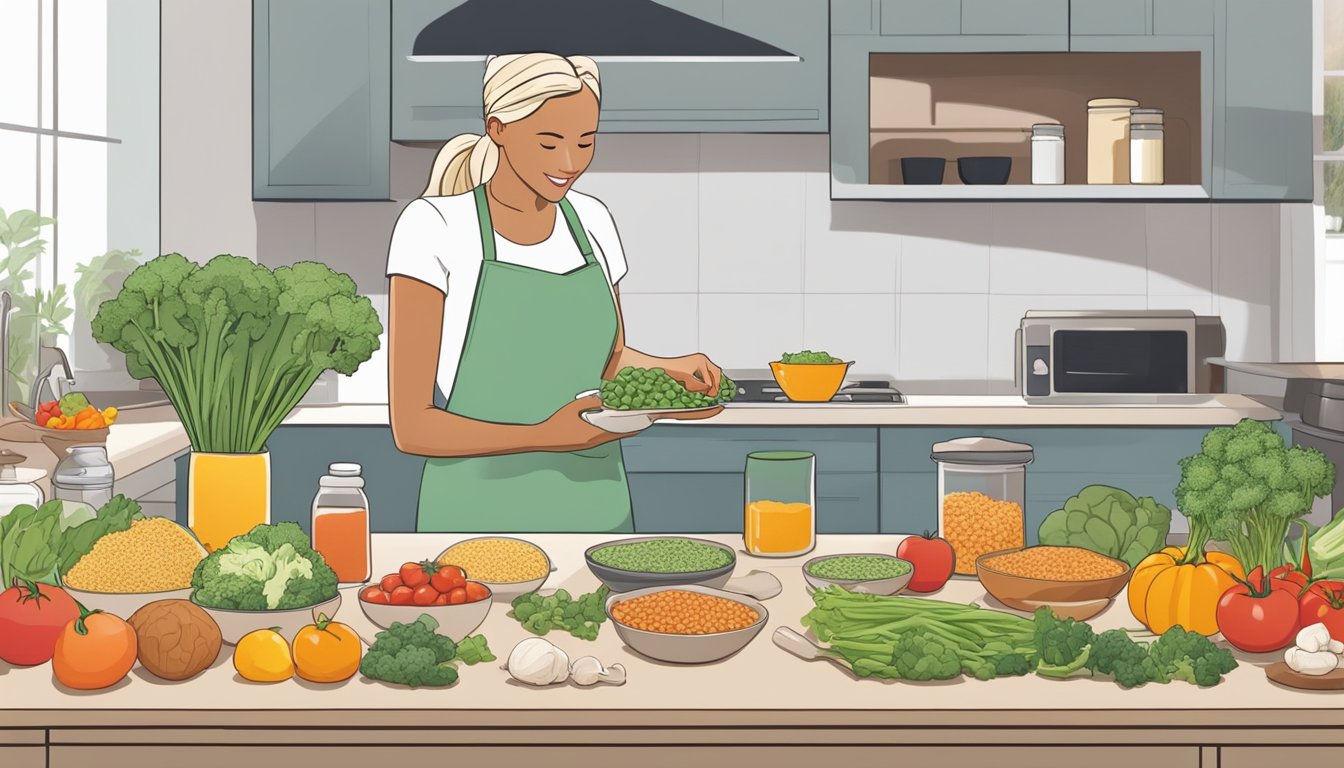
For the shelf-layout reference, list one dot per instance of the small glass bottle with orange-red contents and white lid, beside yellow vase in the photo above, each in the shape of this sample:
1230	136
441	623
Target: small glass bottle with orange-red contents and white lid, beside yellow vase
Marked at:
341	524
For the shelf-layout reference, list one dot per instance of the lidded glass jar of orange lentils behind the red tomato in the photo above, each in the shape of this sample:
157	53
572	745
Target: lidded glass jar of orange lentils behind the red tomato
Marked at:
982	497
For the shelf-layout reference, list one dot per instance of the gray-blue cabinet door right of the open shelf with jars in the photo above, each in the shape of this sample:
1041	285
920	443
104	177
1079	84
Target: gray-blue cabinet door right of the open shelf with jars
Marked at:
1263	102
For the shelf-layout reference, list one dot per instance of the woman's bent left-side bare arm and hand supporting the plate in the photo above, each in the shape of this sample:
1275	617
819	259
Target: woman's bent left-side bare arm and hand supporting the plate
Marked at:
416	329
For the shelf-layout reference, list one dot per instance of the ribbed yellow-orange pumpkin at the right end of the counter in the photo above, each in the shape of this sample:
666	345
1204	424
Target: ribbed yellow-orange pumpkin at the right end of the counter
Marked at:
1165	594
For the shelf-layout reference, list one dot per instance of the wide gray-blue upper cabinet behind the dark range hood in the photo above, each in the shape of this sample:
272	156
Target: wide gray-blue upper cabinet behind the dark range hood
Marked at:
433	102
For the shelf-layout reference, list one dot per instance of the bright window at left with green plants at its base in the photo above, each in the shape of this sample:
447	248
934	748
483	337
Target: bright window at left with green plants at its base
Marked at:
80	181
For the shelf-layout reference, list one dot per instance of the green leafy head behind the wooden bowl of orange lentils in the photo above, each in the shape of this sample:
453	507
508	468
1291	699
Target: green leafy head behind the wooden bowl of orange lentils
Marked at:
1109	521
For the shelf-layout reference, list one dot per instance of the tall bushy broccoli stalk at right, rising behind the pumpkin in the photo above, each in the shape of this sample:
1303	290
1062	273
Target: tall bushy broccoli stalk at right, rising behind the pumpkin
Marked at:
1245	488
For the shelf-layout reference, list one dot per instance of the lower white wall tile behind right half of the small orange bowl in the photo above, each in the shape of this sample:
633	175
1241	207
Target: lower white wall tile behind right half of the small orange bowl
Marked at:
855	328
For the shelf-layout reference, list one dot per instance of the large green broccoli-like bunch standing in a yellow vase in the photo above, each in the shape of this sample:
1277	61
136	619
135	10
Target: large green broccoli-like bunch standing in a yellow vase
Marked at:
236	346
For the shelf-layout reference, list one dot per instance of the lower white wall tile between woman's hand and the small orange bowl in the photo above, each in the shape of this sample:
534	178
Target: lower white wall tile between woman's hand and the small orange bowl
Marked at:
749	330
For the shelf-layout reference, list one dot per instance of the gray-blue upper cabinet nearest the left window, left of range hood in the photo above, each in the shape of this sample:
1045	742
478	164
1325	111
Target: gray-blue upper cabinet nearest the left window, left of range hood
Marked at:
321	100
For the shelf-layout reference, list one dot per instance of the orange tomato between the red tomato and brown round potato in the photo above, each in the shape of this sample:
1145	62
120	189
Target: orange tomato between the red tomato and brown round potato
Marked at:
95	652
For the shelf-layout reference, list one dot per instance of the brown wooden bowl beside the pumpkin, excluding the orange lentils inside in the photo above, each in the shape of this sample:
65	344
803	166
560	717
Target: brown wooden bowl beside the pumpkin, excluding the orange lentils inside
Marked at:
1068	599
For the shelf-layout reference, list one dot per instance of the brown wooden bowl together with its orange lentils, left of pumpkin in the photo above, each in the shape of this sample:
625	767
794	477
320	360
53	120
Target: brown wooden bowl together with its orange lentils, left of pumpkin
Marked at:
1075	583
